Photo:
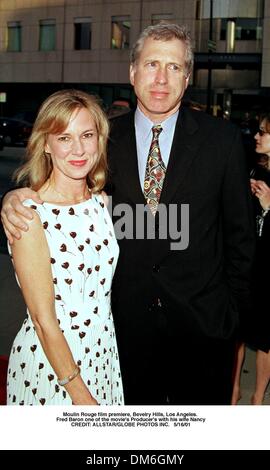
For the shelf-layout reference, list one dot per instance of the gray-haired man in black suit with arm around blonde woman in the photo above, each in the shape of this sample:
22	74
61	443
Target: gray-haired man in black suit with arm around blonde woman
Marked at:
176	304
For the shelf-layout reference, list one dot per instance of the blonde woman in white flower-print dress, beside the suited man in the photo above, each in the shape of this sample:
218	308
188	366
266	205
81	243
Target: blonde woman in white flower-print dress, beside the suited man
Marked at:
66	351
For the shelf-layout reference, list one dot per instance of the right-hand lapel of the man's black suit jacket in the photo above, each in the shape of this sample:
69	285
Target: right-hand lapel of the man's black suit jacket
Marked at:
184	150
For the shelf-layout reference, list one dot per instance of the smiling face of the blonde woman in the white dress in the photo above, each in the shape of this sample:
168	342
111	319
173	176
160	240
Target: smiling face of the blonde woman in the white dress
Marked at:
74	152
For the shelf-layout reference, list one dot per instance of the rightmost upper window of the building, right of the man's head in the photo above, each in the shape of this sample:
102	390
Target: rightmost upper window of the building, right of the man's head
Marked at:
245	29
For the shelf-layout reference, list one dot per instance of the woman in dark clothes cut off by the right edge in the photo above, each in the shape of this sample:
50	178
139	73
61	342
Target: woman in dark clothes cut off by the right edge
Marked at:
258	332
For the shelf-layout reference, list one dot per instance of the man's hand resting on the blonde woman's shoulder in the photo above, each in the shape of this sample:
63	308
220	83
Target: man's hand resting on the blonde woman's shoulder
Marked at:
14	213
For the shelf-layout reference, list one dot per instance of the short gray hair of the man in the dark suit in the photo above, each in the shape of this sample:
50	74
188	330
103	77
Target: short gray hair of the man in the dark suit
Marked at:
164	32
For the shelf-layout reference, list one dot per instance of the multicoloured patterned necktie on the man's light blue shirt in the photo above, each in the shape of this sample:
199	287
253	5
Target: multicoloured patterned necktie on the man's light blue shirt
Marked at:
155	172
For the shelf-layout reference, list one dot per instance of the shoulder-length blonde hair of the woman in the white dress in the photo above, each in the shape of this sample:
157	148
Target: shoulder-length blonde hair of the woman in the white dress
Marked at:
53	118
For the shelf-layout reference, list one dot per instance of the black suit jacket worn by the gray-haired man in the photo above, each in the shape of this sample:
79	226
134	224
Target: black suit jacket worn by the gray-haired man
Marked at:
205	286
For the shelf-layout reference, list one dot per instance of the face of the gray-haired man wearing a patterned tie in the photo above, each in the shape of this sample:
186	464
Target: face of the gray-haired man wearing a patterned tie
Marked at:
159	78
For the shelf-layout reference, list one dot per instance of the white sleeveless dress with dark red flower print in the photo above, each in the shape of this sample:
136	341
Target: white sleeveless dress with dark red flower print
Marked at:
84	253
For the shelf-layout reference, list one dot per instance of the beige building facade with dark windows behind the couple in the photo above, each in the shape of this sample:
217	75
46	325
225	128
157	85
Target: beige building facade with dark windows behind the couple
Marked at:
49	44
